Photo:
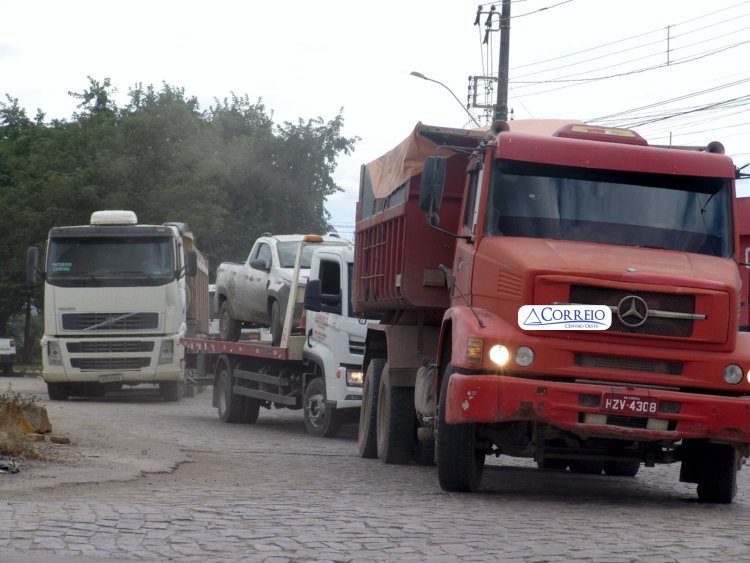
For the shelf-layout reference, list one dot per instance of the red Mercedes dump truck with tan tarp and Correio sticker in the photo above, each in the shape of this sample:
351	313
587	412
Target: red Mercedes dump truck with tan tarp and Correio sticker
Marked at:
556	291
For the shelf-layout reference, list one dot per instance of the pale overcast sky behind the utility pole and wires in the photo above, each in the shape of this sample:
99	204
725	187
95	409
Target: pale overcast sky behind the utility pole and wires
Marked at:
640	62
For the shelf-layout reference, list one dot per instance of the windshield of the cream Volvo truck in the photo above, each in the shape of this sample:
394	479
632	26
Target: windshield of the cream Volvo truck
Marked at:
110	262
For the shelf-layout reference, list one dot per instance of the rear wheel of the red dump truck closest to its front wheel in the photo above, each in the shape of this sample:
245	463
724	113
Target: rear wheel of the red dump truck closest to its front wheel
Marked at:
397	422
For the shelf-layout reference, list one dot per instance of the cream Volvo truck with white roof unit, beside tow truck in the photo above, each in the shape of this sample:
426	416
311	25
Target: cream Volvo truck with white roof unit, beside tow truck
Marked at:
115	305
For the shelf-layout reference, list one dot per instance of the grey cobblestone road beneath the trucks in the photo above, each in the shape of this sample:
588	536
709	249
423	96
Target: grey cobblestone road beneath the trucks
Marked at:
270	492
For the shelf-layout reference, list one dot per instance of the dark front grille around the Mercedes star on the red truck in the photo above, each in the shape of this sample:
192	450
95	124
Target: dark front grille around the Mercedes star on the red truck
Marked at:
673	303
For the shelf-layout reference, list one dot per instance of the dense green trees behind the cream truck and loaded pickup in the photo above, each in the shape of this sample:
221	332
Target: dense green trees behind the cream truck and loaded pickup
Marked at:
229	172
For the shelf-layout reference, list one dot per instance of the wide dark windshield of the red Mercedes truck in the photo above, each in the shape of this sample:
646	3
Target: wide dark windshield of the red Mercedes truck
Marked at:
689	214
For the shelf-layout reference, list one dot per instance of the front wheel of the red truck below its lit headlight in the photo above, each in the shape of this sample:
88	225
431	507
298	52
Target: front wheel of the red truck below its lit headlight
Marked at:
460	462
